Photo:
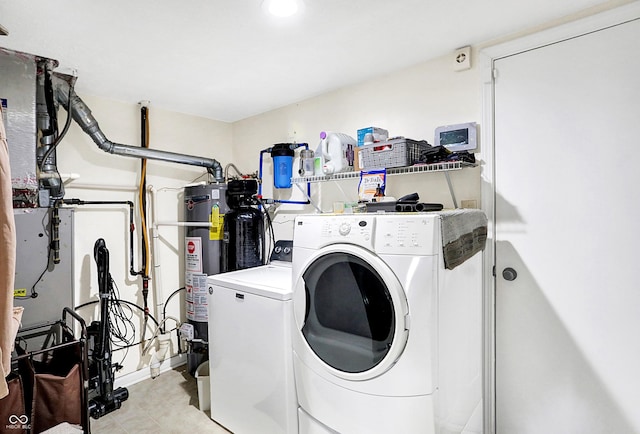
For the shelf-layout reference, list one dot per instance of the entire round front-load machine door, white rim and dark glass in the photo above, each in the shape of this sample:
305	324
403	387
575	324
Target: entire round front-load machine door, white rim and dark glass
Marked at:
354	313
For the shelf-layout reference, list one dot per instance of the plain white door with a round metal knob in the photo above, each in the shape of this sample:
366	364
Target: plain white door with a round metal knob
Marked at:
567	210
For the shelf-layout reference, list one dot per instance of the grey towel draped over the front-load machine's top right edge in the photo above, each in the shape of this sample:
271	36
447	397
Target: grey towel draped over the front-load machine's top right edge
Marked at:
464	233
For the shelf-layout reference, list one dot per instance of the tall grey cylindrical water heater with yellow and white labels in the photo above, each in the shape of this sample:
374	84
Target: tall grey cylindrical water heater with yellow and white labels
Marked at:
203	249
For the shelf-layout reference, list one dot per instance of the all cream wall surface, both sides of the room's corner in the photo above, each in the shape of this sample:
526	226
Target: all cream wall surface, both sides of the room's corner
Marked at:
411	103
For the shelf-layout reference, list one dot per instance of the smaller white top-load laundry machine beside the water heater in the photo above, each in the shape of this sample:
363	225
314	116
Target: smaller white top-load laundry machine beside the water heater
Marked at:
250	358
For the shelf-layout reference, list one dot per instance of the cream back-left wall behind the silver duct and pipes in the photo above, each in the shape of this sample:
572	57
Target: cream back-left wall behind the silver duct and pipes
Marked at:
108	177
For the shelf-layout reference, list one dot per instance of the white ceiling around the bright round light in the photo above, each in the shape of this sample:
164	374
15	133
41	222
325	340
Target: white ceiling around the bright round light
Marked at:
228	60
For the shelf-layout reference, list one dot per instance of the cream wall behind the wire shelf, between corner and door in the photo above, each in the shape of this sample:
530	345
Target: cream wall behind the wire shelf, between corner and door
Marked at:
410	103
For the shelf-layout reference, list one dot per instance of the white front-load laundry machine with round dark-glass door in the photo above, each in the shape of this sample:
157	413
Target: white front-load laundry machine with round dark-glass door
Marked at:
369	356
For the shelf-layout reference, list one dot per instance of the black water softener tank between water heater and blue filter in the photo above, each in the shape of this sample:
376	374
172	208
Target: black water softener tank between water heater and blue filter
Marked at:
243	240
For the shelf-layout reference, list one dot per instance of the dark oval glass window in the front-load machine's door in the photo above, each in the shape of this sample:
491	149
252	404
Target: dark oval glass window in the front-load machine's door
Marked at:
350	321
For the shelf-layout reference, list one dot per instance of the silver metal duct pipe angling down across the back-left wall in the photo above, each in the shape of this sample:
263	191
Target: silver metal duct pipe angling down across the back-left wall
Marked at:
83	117
